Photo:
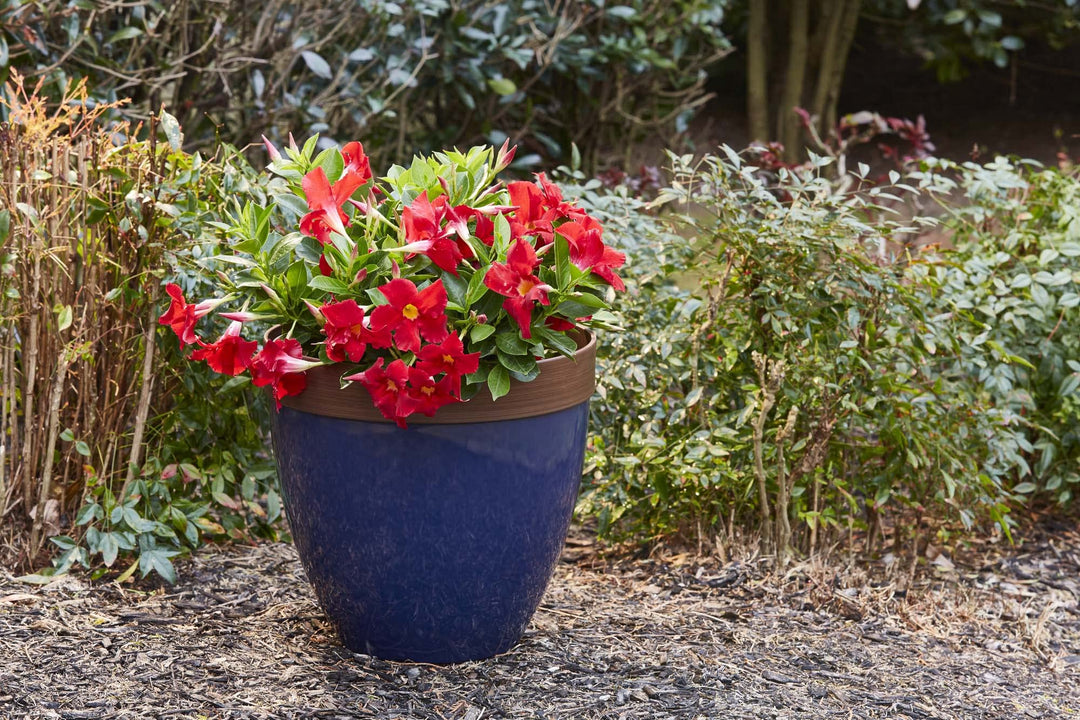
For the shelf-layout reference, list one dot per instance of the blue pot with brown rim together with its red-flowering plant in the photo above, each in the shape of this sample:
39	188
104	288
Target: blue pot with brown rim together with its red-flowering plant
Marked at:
431	356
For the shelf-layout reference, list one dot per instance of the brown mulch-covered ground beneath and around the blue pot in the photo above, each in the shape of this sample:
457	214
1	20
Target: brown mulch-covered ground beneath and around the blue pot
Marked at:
996	635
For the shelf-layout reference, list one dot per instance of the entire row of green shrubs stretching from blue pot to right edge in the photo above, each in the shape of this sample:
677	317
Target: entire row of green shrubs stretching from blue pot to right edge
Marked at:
799	366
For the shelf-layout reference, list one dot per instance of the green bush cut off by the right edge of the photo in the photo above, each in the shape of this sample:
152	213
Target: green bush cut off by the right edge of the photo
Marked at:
1014	291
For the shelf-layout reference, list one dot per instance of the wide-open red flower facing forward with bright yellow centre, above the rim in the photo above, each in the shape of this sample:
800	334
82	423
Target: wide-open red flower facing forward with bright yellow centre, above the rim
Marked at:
412	314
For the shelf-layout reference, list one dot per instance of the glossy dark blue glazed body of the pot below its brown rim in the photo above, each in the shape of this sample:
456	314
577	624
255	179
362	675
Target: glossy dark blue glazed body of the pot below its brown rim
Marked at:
435	544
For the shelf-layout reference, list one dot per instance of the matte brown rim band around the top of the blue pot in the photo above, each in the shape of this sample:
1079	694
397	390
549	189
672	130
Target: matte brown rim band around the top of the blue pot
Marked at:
562	384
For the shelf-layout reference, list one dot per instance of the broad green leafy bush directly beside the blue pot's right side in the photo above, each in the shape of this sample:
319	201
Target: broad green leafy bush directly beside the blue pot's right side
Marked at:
782	371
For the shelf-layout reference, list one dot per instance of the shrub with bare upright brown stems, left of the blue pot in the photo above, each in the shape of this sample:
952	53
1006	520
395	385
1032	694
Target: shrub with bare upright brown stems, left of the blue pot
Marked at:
109	450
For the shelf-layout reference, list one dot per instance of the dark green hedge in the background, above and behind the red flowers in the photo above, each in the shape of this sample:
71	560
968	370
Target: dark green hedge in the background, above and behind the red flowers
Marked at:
399	76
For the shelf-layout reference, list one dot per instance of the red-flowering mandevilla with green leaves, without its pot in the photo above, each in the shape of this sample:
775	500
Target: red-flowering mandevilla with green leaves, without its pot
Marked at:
425	284
